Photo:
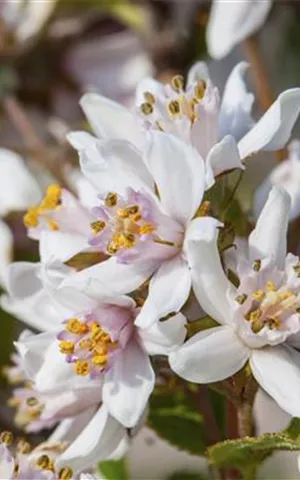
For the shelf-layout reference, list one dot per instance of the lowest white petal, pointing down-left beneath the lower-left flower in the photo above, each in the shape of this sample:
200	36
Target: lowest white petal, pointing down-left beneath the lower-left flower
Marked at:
97	441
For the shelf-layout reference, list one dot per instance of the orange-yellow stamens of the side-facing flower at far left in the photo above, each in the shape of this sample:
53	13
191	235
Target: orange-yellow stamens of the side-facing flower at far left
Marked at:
51	201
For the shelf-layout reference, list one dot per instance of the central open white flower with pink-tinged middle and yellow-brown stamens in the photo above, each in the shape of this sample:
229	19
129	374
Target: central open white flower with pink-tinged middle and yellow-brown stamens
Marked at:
144	217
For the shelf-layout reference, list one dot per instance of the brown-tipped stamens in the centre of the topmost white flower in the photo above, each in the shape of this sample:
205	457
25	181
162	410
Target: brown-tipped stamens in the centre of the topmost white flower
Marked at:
177	103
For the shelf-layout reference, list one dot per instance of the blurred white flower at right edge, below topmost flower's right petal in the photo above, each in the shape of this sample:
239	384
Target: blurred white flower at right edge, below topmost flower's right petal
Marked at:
286	175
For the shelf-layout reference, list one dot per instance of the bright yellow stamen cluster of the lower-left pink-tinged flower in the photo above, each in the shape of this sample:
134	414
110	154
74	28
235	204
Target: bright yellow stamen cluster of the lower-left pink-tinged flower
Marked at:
86	345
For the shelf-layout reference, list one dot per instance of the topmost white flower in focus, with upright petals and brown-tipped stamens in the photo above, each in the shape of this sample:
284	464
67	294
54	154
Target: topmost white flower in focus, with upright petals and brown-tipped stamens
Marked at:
197	116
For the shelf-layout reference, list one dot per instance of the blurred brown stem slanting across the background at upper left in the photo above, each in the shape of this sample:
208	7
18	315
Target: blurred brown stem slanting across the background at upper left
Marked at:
31	139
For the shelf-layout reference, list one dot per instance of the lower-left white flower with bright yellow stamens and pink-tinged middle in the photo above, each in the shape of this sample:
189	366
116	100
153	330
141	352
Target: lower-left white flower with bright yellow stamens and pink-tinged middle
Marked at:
102	360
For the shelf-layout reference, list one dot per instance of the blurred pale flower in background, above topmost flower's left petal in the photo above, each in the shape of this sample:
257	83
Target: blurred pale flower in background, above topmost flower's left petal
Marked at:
112	65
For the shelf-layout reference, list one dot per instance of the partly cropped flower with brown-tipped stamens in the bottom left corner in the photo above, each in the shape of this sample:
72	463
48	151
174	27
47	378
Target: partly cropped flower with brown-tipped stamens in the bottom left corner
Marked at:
21	461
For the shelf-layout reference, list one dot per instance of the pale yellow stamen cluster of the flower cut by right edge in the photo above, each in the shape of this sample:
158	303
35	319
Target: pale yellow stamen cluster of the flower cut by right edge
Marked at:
270	306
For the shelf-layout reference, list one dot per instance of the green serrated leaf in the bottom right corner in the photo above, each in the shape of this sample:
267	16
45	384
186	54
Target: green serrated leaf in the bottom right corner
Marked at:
246	454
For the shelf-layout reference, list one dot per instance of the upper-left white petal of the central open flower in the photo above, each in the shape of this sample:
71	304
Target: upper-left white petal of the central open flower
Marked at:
111	165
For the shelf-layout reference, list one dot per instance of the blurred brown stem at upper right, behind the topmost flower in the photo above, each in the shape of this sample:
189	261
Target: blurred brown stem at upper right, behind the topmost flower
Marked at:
262	84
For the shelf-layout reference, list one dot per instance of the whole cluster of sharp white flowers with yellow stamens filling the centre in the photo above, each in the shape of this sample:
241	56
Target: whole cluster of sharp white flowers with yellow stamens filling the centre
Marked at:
122	256
